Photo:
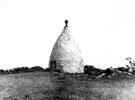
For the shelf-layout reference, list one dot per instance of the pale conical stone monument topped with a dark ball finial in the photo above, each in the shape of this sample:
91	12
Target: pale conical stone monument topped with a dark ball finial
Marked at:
66	55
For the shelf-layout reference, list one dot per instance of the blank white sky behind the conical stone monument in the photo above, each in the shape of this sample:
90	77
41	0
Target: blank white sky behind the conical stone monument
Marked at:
103	29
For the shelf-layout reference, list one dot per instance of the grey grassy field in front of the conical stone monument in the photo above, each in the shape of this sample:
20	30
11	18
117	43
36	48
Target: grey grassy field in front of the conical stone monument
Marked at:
54	86
